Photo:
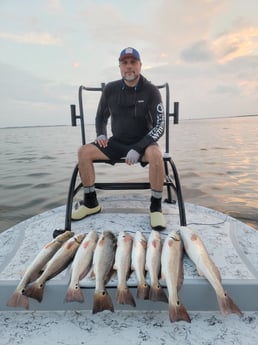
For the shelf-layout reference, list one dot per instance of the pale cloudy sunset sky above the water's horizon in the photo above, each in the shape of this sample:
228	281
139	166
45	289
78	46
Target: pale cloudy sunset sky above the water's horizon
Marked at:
207	50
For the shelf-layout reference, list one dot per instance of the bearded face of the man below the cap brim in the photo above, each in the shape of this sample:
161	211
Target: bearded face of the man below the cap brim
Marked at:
130	69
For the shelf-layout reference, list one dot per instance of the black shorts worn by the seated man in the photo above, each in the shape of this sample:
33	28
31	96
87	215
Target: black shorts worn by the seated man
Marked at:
117	150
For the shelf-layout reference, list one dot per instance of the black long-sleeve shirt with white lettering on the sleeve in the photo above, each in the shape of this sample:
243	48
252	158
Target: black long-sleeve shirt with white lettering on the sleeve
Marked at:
137	116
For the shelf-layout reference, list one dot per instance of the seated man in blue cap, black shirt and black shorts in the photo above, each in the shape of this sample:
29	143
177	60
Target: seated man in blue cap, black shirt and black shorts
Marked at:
137	122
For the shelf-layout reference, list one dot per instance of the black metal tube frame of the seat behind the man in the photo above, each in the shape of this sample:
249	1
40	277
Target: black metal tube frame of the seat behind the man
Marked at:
171	181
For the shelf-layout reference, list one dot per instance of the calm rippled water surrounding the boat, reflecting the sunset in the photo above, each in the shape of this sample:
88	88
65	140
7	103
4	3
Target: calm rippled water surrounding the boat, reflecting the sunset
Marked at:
216	159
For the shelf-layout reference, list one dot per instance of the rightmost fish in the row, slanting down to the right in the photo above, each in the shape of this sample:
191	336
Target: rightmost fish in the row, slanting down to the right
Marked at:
205	266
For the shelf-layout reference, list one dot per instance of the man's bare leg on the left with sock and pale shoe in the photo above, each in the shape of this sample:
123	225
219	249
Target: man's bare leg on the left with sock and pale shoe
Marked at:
86	155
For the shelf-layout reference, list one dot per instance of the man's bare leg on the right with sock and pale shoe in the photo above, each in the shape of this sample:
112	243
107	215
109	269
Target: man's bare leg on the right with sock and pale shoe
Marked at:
154	157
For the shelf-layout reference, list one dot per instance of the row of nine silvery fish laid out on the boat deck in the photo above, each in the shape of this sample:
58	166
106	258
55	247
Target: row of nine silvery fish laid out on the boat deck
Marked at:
98	256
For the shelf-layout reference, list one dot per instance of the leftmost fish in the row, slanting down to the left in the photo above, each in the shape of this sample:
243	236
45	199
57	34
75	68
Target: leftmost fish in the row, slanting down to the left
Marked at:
18	299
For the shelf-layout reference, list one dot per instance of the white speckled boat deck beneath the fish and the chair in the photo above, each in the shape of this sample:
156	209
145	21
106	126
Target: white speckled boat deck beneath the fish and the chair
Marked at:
231	244
